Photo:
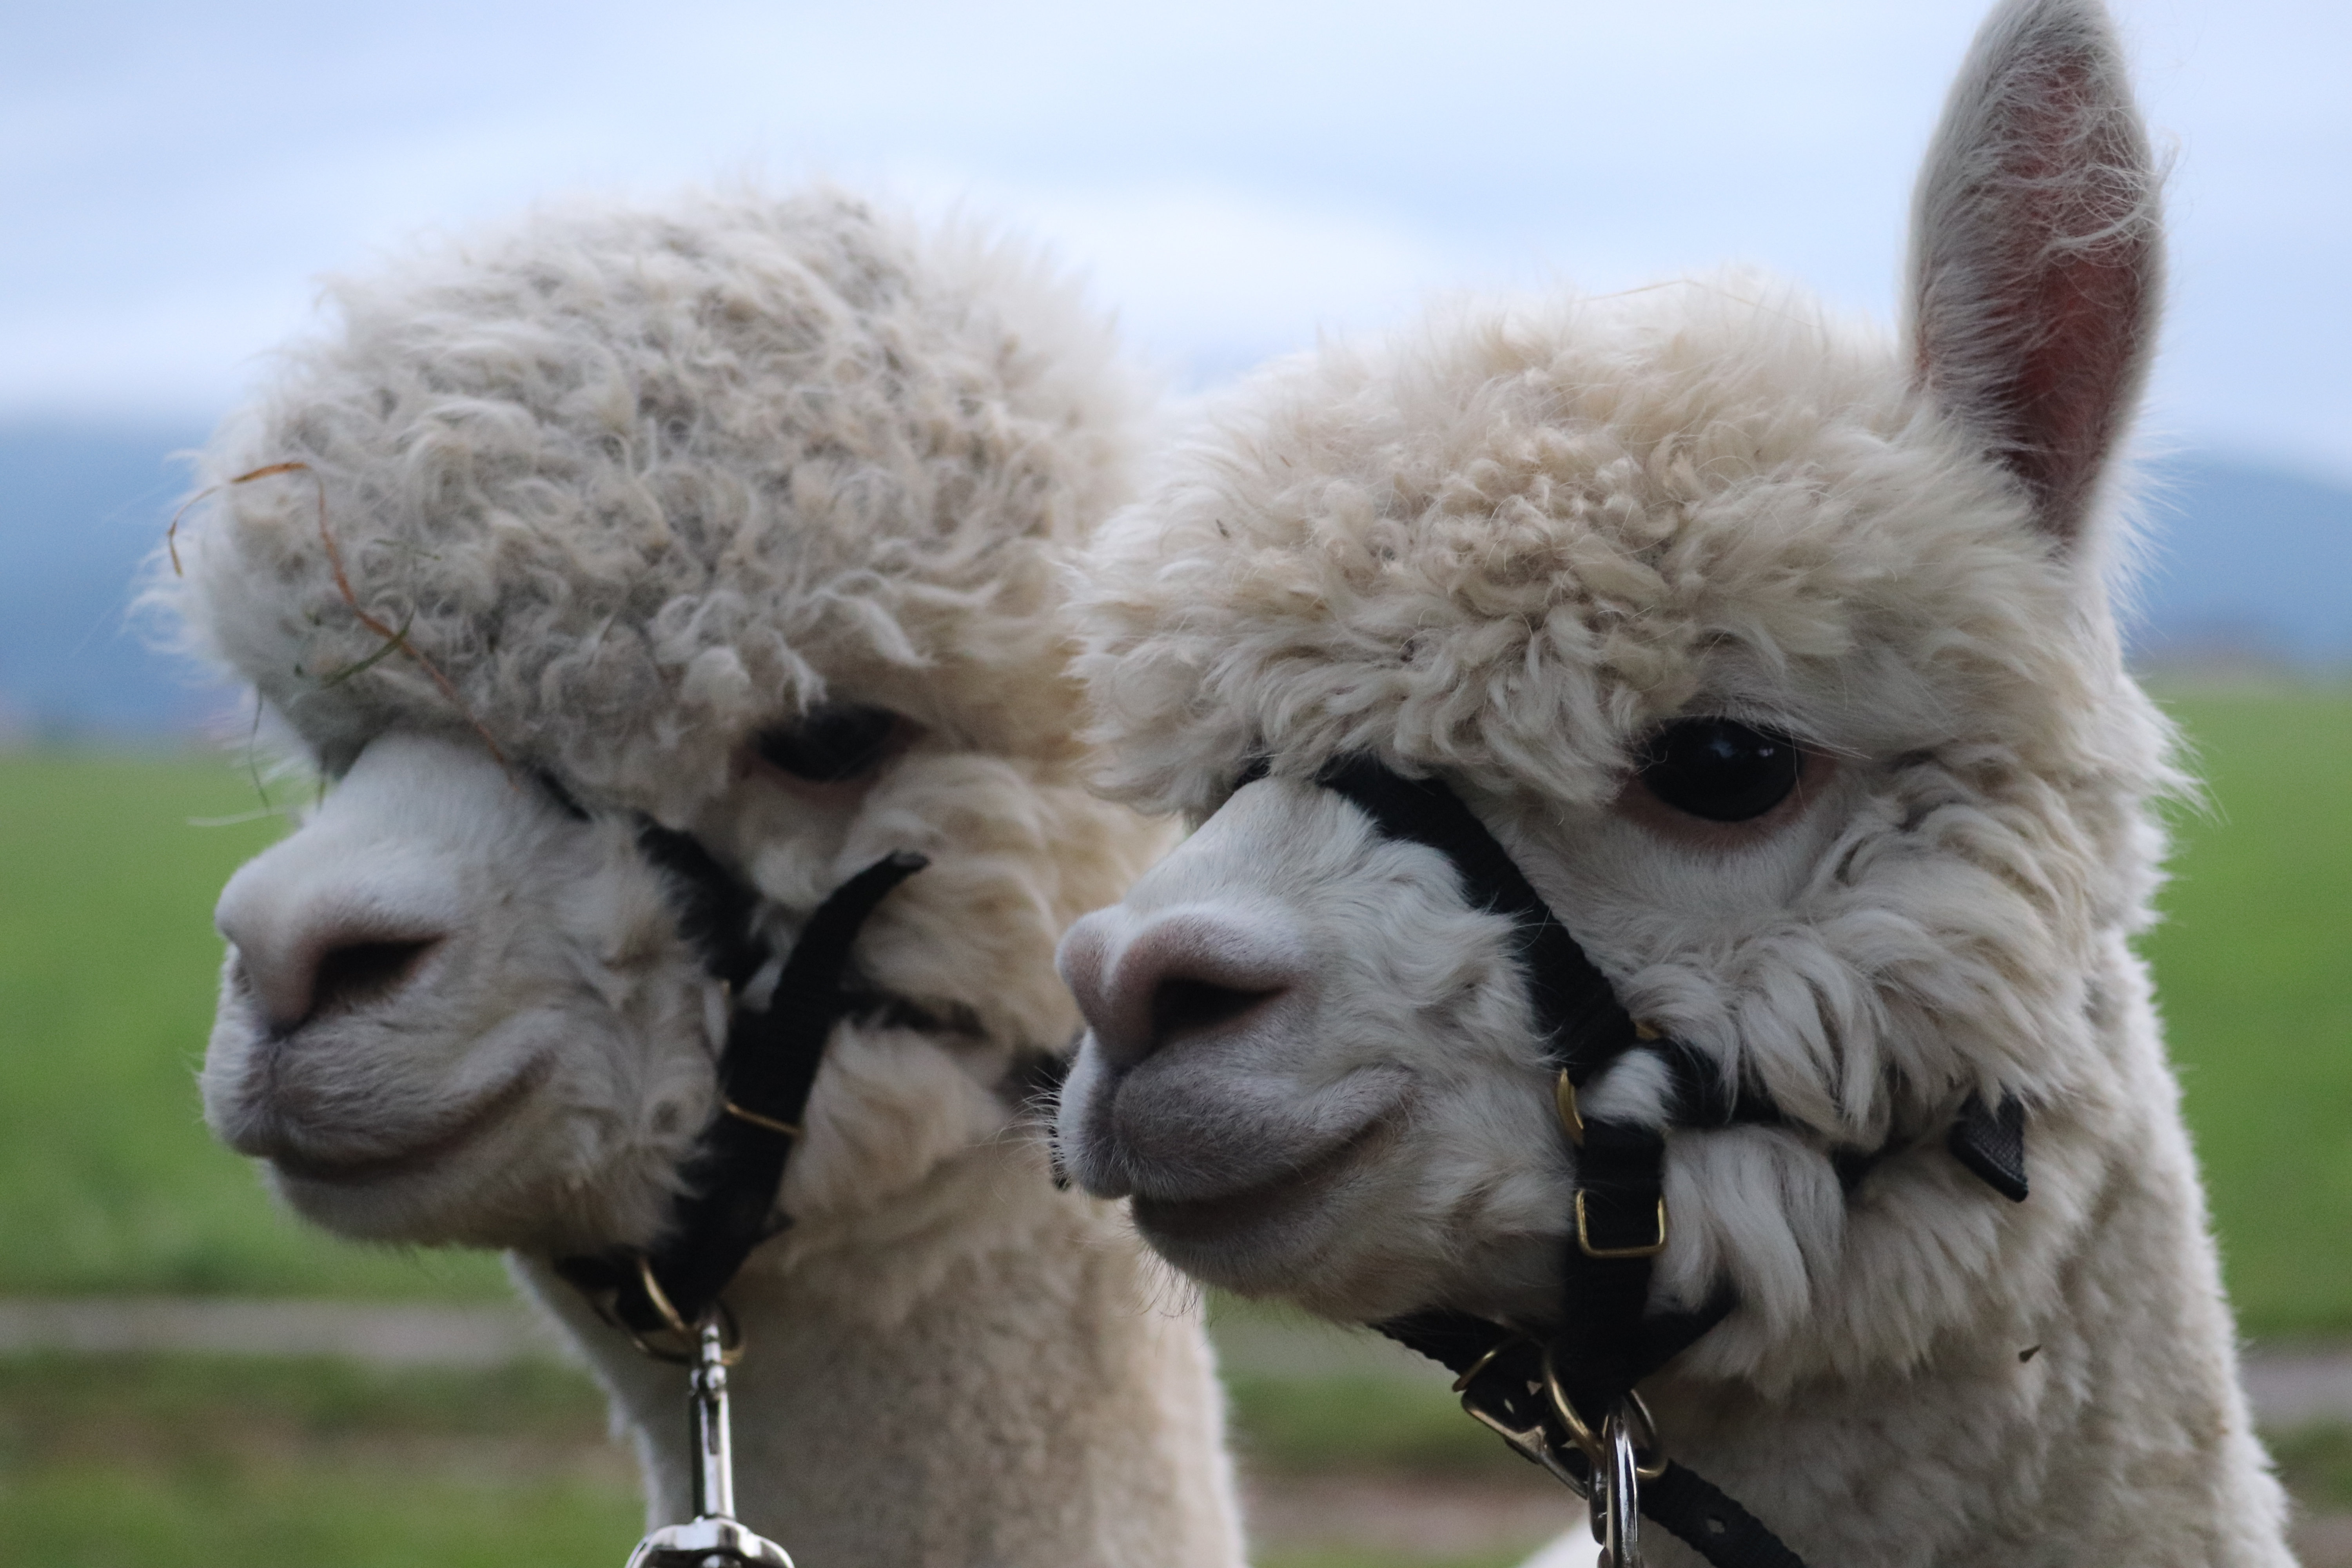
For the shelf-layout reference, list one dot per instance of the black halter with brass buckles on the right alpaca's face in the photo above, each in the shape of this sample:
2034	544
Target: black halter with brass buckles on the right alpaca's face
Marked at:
1605	1339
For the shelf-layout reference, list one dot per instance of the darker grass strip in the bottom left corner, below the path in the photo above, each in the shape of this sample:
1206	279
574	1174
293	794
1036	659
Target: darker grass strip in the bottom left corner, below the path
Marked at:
192	1463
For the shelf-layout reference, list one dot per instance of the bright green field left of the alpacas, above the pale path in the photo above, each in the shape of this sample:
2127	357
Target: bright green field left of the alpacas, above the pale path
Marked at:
109	1181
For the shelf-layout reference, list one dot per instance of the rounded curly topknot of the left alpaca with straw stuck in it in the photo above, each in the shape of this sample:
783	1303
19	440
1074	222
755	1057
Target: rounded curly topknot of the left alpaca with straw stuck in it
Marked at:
641	483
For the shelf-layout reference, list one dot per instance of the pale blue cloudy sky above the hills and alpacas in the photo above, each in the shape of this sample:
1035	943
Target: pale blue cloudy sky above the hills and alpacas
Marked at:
1234	175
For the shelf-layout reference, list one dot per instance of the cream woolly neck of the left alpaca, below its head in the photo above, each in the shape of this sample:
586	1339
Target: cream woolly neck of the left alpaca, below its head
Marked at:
965	1374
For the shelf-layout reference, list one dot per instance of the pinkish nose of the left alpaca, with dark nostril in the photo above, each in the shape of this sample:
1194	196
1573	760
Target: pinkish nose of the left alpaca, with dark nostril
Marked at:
302	965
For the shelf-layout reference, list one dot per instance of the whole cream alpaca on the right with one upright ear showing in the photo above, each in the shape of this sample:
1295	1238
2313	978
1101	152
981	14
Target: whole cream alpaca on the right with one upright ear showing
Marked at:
1779	657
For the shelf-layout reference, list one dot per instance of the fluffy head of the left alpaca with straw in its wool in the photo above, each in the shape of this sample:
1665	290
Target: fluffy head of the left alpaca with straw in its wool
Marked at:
742	521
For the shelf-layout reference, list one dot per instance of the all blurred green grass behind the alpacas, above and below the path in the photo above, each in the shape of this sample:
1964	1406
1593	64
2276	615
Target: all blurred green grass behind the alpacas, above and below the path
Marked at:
109	1186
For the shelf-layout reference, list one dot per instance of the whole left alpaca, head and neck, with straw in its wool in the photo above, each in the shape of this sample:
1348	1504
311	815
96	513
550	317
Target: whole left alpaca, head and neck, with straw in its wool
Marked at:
740	518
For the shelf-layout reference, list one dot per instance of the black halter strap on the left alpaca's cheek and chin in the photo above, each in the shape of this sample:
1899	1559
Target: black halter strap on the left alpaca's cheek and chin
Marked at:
768	1068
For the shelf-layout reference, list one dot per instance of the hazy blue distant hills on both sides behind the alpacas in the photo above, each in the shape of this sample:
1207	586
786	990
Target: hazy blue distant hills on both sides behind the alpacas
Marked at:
2252	565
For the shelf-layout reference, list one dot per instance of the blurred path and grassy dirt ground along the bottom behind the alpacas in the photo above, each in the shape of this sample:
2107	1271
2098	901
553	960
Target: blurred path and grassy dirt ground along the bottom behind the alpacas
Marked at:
392	1438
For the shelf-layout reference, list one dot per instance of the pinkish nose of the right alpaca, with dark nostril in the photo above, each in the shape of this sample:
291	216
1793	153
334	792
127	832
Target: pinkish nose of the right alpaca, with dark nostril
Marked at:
1182	977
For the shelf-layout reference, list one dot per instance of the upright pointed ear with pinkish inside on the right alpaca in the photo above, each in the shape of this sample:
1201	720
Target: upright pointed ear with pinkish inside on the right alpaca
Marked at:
2038	253
